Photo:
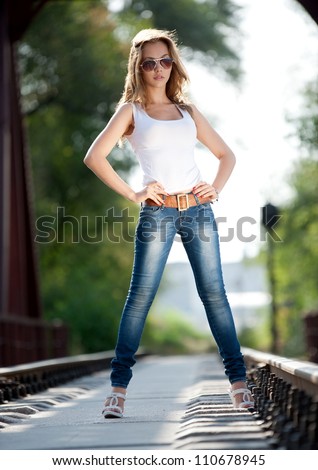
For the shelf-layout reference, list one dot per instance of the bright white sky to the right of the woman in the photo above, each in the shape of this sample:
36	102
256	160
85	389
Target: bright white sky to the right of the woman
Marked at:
279	56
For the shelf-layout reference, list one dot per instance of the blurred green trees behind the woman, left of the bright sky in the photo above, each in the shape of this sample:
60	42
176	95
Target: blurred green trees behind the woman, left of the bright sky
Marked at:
72	64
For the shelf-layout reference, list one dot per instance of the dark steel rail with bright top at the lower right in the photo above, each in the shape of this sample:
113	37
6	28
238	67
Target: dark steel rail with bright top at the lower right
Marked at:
286	397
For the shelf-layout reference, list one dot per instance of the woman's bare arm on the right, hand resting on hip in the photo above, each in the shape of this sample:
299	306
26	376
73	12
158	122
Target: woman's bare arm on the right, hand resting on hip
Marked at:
212	140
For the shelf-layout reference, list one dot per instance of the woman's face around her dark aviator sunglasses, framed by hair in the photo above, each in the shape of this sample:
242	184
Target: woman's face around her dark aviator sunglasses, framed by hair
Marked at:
159	76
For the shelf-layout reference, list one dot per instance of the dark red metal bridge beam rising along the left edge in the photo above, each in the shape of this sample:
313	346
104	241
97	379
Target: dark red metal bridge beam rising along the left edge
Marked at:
20	306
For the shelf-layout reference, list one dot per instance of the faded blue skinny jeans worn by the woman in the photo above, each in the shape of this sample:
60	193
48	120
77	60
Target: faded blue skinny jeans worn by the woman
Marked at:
155	232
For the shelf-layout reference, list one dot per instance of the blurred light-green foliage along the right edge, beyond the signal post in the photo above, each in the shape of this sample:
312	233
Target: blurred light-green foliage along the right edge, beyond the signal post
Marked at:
296	258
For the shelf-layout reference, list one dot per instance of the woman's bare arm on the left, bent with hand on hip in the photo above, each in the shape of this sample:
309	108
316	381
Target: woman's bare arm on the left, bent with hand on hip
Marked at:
96	158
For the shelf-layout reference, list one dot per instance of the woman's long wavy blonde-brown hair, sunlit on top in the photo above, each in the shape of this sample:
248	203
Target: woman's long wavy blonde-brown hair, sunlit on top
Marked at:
135	89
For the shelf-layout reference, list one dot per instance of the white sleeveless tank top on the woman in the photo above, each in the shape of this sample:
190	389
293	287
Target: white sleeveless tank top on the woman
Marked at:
165	150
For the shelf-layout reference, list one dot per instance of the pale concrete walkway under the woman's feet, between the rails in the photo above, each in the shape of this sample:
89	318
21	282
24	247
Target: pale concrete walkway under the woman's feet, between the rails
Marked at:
177	402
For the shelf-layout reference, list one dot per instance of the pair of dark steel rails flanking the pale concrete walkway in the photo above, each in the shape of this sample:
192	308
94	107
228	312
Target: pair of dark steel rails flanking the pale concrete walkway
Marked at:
285	390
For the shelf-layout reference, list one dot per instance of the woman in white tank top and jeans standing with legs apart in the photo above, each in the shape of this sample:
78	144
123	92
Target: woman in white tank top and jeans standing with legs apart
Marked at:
162	128
